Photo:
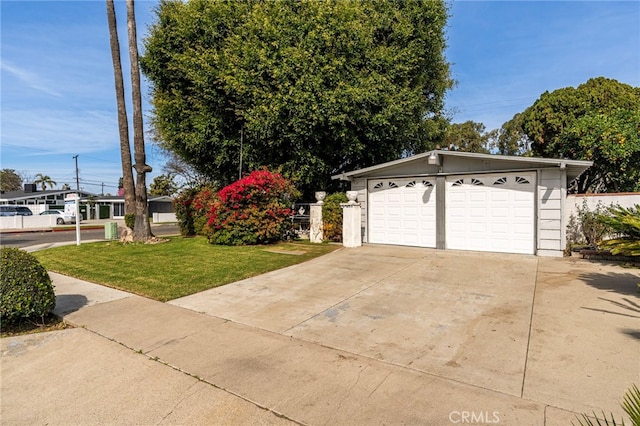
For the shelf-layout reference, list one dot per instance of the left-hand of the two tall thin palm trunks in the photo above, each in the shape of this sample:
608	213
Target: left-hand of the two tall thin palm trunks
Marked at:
123	124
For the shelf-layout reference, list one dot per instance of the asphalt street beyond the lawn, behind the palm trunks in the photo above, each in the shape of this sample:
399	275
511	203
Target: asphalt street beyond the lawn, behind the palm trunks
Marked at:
26	239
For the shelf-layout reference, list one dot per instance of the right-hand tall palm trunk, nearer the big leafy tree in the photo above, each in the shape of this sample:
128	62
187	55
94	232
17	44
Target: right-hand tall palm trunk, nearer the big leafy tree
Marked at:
142	230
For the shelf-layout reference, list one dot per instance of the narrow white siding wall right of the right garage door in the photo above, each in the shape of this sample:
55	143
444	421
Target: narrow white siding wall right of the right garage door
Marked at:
551	198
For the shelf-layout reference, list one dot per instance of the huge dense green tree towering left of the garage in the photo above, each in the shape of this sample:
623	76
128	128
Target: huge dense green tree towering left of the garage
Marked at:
310	88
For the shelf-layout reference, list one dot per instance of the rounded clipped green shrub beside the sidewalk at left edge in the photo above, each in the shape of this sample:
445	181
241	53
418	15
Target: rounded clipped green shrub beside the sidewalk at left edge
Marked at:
25	287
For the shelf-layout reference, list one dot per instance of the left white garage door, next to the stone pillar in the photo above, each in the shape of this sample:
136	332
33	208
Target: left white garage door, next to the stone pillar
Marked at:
403	212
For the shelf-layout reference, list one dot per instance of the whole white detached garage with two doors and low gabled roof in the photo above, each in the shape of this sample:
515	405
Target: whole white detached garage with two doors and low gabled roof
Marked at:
464	201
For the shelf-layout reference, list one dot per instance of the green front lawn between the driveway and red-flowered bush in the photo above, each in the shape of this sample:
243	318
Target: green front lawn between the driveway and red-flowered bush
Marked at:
176	268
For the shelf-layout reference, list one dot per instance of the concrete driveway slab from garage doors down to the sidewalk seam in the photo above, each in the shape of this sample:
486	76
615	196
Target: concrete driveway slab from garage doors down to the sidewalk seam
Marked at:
562	332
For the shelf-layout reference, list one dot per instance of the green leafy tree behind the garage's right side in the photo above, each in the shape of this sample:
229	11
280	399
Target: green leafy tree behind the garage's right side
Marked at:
598	121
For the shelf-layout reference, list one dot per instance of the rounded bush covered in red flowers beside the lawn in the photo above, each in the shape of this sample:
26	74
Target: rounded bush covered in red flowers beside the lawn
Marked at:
253	210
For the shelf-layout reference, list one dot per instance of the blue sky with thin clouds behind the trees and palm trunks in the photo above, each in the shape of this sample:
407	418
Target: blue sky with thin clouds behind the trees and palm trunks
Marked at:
57	91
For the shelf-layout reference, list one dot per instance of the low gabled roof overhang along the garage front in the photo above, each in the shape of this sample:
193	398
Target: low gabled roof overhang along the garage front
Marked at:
573	167
